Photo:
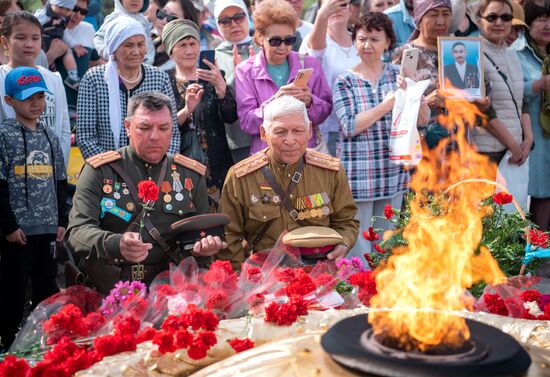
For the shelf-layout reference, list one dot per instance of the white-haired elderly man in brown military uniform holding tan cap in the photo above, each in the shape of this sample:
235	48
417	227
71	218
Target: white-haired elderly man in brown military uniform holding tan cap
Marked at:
285	186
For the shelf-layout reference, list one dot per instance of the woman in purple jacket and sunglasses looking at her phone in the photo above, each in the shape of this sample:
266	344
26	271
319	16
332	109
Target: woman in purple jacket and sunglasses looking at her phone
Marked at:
271	73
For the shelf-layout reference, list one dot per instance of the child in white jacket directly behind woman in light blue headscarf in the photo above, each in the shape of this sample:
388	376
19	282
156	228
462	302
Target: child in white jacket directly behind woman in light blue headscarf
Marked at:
134	9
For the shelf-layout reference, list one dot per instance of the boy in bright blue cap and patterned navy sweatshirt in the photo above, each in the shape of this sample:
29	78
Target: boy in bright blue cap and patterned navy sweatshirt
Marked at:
33	187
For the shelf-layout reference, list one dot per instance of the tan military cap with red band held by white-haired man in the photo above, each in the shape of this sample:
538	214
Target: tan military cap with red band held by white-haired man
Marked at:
313	242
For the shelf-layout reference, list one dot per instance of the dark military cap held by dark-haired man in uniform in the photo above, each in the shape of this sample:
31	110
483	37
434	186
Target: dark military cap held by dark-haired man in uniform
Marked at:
192	229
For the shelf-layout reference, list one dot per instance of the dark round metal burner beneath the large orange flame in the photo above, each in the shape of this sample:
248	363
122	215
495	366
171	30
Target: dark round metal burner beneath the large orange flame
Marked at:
490	353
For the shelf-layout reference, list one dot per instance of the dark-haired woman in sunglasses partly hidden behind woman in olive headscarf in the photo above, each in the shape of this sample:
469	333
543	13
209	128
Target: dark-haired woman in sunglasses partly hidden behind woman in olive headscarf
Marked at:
172	10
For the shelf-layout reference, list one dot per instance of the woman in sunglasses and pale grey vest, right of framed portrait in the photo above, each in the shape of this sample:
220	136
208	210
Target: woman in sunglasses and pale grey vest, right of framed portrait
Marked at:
510	129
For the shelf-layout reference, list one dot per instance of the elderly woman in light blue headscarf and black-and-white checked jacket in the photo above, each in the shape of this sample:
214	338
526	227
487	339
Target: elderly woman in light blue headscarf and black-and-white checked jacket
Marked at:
105	90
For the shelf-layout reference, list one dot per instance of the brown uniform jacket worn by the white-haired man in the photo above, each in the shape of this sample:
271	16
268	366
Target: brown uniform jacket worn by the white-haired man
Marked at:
248	199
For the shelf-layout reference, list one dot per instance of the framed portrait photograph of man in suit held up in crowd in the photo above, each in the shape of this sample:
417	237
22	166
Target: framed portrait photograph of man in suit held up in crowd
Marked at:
461	66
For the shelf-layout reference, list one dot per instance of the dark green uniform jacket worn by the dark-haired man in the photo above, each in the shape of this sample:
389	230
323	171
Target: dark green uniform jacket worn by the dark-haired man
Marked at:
103	209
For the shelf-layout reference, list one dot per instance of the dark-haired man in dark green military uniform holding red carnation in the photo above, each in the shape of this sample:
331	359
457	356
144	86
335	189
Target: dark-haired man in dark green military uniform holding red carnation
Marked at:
104	221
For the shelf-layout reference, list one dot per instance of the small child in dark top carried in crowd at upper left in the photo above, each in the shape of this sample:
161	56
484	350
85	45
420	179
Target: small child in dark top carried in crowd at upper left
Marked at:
54	17
